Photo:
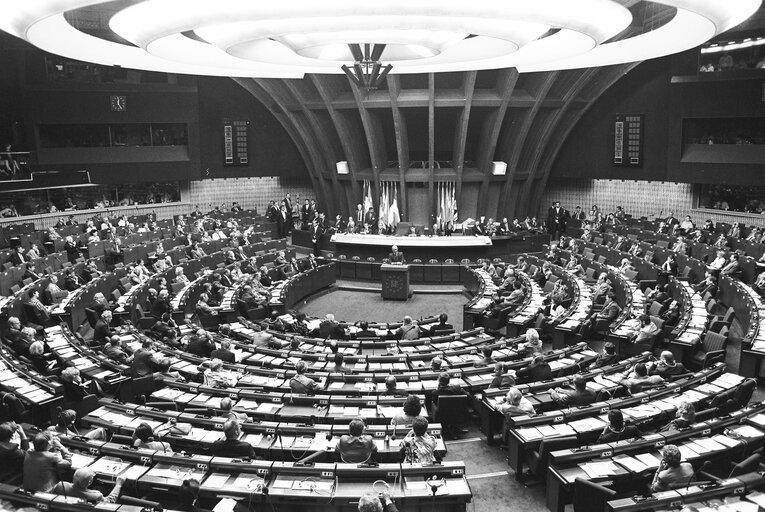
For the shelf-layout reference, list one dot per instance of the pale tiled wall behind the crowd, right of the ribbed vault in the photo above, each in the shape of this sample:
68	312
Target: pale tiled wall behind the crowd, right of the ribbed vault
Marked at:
638	198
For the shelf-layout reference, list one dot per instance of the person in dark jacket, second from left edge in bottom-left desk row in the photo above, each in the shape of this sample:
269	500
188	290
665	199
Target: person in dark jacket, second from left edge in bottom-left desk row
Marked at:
44	464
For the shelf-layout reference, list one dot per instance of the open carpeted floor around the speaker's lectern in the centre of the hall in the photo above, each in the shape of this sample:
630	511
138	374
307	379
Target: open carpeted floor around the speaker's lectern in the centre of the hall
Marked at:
352	306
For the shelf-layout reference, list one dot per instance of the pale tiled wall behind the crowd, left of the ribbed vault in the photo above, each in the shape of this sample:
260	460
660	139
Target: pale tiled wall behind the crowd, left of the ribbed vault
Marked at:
248	192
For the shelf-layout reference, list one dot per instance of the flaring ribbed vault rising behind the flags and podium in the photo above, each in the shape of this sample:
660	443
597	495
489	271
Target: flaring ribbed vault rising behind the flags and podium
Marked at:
425	129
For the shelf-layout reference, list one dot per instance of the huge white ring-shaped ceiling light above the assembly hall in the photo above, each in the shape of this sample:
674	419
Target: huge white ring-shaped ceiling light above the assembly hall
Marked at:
287	39
